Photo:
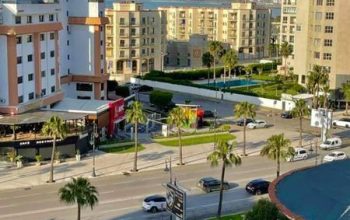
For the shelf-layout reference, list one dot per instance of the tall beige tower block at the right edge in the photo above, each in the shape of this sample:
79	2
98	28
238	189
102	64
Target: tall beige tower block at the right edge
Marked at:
322	30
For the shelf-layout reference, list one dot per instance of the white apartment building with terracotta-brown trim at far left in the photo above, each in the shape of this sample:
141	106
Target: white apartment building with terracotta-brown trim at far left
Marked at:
49	49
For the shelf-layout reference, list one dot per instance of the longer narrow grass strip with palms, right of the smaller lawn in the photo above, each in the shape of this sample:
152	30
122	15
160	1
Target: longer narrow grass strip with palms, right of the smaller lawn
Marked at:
197	140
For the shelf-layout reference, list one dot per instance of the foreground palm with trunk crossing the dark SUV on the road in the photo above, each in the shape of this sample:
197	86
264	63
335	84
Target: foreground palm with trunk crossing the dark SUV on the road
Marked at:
224	153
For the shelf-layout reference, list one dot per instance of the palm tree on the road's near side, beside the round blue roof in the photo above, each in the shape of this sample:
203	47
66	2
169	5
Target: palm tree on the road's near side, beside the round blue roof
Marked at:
277	148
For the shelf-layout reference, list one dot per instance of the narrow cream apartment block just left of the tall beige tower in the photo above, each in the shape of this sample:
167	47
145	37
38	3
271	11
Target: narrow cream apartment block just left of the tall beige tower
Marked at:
288	26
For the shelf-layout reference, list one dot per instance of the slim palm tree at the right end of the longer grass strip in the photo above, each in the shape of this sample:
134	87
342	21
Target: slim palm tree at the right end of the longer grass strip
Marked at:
245	110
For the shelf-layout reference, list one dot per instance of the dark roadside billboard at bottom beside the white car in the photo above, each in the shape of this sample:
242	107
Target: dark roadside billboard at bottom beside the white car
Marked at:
176	200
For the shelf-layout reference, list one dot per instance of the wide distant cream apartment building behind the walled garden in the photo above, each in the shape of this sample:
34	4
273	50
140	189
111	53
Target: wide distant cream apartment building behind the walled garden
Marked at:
245	26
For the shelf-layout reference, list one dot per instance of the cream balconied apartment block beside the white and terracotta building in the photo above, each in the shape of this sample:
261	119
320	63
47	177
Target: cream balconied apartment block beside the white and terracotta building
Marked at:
135	40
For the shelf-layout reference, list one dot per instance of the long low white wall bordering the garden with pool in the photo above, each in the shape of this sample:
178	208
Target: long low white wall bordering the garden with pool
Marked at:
269	103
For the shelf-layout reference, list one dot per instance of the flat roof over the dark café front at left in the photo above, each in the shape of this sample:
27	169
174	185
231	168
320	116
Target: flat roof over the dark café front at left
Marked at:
38	117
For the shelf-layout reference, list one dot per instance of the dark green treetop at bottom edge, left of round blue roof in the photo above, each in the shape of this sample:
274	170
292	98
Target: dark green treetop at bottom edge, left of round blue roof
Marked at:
265	210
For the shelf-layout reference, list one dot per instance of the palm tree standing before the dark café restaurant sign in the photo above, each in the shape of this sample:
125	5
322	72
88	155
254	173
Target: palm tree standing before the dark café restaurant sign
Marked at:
54	128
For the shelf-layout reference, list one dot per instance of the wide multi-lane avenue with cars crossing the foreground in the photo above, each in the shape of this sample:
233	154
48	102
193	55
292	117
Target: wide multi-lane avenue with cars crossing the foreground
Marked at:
121	196
